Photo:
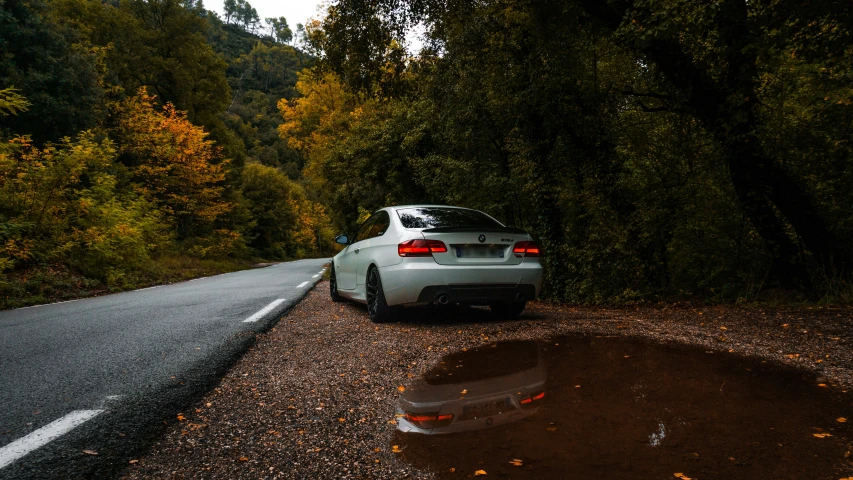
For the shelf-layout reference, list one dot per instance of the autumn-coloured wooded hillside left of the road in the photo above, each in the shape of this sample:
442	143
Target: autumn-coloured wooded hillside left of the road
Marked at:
140	145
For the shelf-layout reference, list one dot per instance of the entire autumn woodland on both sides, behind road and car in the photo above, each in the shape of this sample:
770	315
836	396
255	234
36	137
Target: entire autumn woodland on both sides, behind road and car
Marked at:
657	149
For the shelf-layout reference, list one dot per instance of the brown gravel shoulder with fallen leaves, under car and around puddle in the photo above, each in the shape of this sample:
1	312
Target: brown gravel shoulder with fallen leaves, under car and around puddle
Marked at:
315	396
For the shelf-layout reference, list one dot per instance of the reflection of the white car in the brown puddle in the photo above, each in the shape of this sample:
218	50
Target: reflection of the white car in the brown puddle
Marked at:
477	389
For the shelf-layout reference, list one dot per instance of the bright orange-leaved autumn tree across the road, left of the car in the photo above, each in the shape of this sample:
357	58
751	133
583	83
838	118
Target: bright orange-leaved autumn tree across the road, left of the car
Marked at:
173	163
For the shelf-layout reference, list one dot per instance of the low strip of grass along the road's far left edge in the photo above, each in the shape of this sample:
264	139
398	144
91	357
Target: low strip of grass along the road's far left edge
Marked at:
55	283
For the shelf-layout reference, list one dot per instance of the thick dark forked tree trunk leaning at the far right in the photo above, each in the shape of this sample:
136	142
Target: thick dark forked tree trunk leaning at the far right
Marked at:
718	83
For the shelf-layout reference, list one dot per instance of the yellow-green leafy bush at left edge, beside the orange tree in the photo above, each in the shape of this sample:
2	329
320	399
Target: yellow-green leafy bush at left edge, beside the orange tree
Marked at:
60	203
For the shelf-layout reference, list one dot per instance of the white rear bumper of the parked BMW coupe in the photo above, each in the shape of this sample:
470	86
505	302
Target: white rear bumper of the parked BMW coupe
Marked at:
421	280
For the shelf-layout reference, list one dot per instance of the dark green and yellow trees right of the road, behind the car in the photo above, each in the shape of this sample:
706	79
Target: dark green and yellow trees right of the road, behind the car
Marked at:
655	149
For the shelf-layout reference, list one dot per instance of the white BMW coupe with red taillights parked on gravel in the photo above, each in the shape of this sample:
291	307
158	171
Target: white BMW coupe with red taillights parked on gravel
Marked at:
421	254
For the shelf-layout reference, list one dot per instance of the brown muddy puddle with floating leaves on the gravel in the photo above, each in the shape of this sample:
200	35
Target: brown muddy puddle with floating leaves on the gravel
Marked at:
583	407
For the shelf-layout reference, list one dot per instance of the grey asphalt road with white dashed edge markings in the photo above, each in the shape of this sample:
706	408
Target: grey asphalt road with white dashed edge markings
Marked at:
135	355
